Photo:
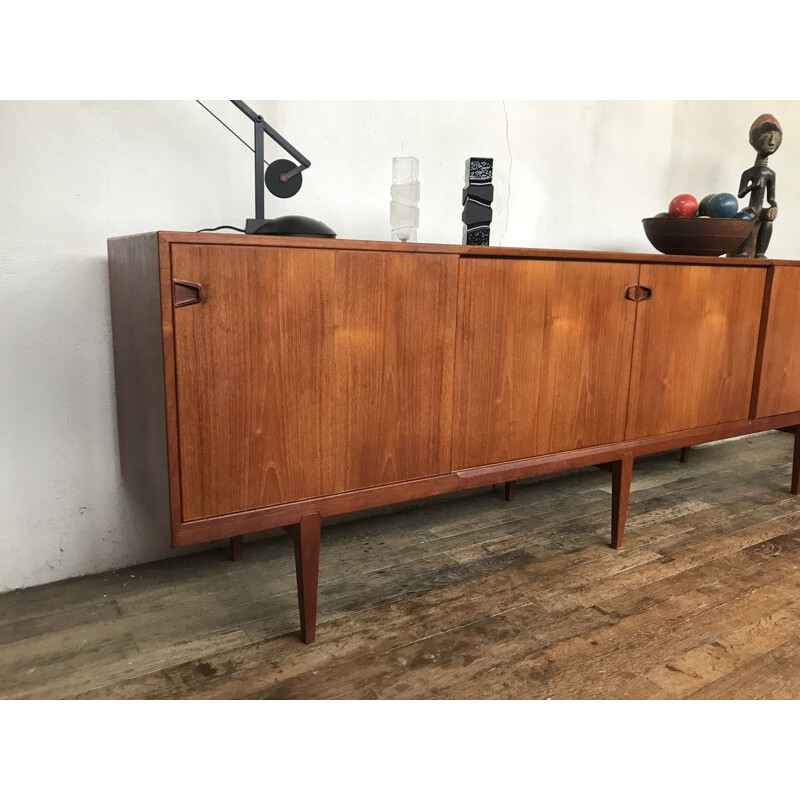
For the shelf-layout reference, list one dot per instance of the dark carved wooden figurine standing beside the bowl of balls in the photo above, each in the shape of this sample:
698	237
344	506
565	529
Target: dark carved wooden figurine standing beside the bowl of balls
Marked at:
758	181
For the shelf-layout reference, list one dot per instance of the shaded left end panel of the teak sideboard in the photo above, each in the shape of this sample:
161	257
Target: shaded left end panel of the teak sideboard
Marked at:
133	271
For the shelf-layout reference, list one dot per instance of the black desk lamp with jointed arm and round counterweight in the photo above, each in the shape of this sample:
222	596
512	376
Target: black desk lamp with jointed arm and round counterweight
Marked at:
283	178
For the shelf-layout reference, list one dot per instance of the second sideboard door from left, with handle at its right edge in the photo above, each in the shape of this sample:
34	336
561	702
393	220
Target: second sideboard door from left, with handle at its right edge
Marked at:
542	357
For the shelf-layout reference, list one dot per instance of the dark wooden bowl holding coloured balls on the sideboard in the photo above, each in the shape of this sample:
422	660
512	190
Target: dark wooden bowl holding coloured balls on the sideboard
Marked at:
696	236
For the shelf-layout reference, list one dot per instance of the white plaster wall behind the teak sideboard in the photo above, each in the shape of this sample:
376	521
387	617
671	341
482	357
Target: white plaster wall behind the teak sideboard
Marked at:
567	175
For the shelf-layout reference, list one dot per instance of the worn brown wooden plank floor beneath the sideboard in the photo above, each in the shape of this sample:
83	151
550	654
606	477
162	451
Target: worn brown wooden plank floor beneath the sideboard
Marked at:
471	597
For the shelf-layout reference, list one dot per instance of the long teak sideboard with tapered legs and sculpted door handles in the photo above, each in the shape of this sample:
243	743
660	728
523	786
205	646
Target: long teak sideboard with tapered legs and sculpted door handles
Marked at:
267	382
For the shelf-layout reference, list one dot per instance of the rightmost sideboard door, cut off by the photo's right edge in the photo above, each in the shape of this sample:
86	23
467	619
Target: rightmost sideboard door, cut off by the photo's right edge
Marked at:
779	374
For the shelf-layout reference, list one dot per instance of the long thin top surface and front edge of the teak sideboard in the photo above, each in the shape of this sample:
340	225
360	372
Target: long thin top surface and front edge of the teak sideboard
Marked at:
227	239
